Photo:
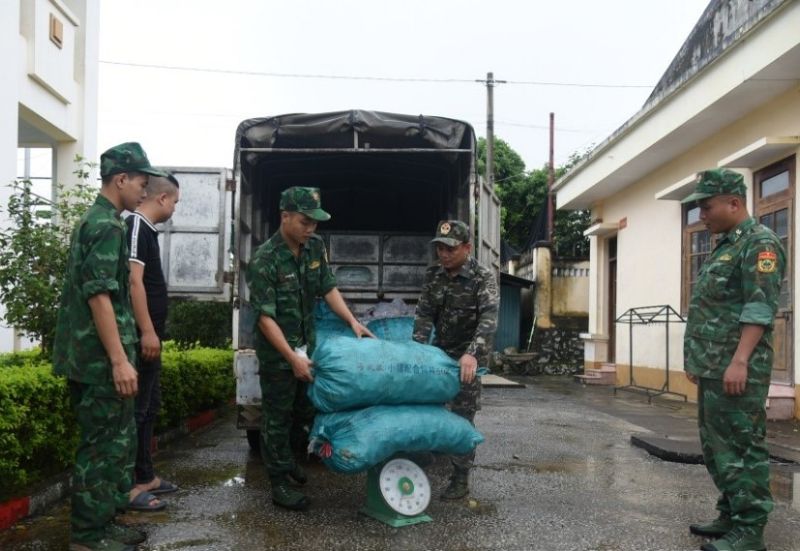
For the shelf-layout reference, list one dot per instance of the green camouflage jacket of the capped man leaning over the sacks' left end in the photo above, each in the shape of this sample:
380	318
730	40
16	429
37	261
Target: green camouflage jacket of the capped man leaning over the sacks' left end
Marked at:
285	289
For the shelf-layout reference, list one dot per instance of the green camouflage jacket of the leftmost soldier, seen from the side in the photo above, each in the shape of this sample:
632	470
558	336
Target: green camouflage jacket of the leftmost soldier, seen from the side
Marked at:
98	263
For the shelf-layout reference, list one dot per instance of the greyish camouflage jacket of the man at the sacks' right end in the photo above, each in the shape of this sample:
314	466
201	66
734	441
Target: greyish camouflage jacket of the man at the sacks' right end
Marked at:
463	309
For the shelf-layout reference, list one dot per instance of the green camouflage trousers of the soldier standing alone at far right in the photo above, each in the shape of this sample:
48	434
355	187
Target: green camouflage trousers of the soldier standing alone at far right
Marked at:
732	434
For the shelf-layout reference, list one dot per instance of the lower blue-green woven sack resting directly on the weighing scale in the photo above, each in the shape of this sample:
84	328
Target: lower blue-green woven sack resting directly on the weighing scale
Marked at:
354	441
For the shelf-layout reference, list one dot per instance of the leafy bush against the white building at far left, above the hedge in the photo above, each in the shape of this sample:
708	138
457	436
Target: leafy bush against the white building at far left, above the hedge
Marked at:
33	253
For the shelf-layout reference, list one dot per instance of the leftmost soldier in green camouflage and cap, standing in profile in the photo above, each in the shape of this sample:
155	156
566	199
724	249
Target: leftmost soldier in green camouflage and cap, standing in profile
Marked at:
94	348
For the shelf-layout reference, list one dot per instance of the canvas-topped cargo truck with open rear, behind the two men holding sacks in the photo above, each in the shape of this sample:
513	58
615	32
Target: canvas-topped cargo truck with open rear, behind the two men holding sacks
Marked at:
385	178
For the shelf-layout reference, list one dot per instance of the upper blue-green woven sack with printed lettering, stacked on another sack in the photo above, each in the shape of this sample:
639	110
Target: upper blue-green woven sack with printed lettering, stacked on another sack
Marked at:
351	373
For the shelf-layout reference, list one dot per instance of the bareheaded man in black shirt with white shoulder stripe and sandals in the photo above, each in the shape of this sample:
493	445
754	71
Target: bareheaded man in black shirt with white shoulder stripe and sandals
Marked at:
149	300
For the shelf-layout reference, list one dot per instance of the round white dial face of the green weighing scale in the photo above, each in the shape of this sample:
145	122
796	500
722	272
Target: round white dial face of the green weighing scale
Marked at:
405	487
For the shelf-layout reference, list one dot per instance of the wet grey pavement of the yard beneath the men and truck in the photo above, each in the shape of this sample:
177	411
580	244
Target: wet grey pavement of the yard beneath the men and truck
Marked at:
557	472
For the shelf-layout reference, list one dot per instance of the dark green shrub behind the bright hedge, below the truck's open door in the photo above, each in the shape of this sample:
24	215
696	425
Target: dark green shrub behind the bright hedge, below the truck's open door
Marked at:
199	323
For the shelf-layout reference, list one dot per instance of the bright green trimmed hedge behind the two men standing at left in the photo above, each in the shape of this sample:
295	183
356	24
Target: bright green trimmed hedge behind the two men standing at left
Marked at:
37	429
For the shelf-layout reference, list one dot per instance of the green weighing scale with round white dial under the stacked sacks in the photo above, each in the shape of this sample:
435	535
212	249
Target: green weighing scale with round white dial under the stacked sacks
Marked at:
397	493
